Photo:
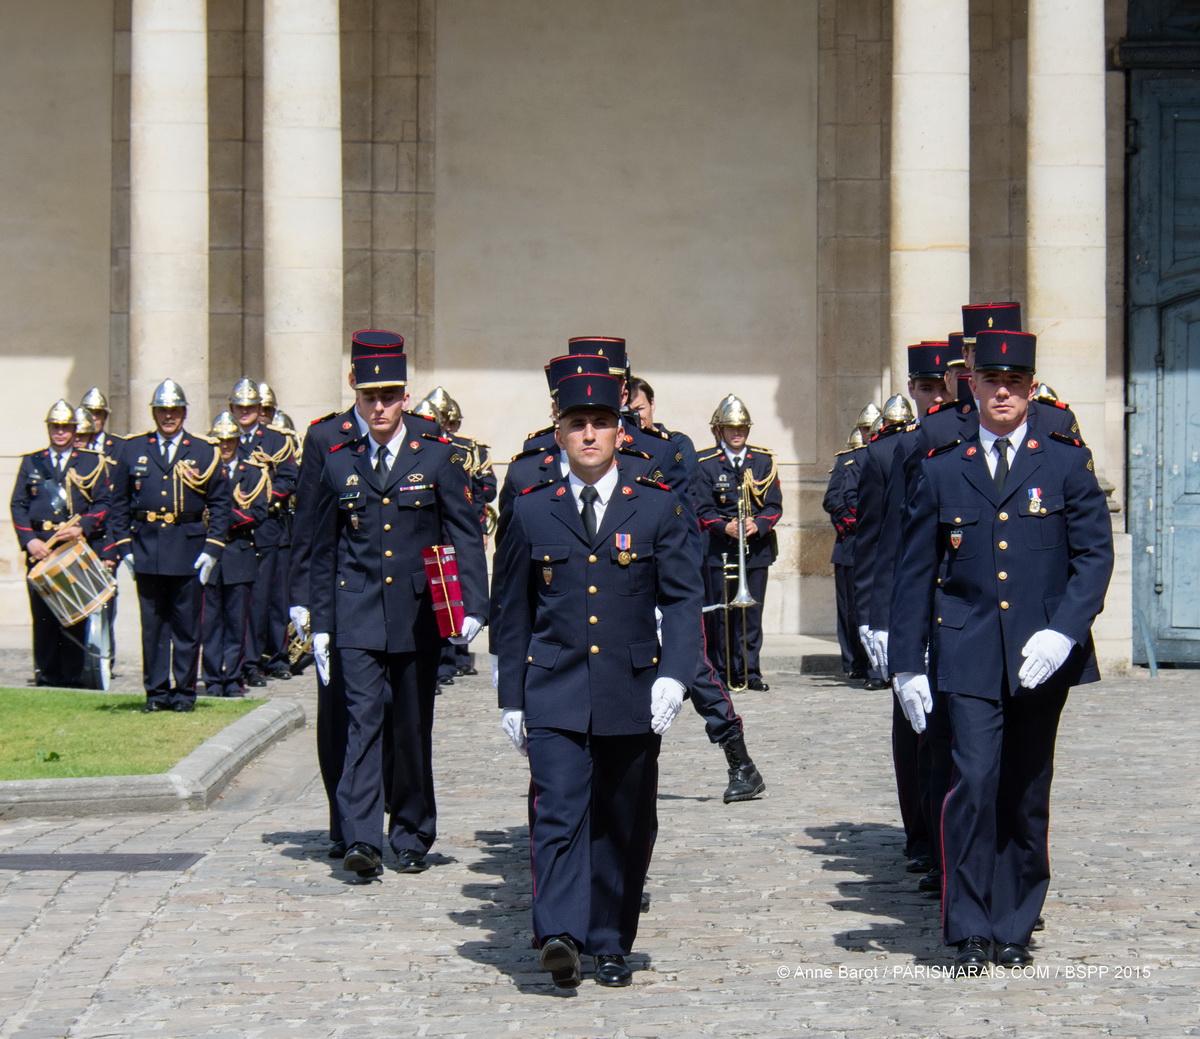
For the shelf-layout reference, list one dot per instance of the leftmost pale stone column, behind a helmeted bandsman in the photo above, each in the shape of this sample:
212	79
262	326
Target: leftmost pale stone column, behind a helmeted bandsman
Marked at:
169	205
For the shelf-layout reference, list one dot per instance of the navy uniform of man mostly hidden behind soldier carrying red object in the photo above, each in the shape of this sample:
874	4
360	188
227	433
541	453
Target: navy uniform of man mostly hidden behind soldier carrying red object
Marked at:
323	435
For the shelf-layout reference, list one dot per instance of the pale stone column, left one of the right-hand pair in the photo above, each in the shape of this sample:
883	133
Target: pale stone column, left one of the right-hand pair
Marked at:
931	269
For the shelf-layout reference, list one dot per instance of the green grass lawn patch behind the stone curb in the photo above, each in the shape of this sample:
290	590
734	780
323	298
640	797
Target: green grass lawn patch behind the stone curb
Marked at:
47	734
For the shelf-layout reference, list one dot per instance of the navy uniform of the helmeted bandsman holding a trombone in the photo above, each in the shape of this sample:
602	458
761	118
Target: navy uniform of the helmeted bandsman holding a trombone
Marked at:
717	490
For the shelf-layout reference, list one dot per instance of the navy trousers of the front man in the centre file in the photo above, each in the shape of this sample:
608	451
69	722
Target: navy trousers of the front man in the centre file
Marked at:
593	820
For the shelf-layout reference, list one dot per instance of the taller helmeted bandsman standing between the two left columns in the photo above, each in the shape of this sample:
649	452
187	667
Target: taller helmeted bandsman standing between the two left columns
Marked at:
267	652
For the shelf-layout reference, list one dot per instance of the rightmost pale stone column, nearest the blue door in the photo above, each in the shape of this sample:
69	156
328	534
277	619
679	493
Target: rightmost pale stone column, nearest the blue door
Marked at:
1066	215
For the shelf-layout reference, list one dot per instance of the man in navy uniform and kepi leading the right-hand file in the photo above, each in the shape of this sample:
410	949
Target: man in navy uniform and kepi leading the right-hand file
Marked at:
1007	557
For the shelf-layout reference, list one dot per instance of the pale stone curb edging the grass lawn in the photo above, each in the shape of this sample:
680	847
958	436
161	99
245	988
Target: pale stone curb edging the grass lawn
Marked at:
194	784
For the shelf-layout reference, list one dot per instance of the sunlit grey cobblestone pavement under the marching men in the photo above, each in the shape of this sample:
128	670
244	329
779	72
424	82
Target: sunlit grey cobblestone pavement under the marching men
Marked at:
789	916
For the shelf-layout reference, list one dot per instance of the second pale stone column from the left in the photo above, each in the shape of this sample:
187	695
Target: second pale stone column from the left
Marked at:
303	206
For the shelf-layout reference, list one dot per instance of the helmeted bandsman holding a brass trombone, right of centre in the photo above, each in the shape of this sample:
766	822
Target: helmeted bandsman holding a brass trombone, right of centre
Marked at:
722	478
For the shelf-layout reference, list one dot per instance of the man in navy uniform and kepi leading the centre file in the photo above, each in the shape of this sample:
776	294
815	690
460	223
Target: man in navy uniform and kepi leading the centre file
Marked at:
586	689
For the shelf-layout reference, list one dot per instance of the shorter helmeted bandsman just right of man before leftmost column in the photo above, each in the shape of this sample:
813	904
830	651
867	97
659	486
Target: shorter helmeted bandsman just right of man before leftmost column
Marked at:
227	594
